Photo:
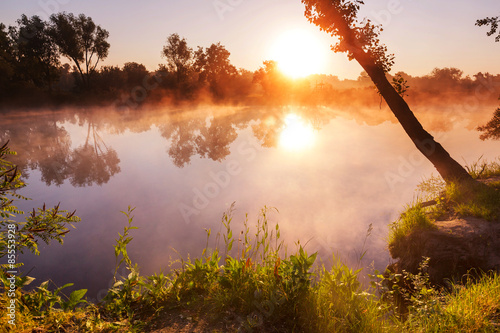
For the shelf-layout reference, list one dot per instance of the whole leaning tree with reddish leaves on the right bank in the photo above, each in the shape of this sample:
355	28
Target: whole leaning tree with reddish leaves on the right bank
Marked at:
360	40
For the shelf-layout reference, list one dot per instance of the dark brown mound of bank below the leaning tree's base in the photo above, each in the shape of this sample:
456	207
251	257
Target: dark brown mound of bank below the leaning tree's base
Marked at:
455	248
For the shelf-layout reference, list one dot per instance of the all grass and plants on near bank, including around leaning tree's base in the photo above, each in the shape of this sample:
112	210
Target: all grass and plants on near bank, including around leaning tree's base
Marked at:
250	281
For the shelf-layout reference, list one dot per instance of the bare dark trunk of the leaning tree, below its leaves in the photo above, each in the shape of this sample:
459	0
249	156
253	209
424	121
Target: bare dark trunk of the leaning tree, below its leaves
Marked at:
447	167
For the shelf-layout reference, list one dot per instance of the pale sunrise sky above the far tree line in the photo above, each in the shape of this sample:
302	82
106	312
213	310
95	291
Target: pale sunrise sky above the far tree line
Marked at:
423	34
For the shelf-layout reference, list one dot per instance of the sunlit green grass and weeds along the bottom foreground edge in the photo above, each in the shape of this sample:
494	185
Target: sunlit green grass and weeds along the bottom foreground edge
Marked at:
251	284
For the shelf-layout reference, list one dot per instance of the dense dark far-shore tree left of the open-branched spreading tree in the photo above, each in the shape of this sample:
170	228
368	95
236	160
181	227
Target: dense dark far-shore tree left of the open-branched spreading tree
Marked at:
36	53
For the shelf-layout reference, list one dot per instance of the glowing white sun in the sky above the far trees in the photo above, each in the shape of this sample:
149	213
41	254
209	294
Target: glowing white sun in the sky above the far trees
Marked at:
299	53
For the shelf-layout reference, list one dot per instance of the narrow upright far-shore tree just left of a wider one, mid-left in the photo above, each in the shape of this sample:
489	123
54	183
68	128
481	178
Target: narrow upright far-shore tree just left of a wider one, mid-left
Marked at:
179	57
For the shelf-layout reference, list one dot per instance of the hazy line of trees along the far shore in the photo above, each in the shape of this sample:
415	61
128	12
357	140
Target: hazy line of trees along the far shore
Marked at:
59	61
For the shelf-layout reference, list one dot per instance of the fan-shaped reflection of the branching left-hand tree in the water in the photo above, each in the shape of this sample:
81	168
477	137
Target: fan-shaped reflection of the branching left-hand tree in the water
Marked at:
92	162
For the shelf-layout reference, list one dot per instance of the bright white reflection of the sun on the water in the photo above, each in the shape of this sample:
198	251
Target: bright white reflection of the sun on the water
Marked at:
296	134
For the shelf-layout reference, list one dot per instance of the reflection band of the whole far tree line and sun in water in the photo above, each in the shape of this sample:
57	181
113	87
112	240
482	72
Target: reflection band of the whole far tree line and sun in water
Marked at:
44	143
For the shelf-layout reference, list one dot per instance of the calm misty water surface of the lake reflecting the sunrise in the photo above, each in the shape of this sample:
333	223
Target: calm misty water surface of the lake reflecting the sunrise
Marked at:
182	169
